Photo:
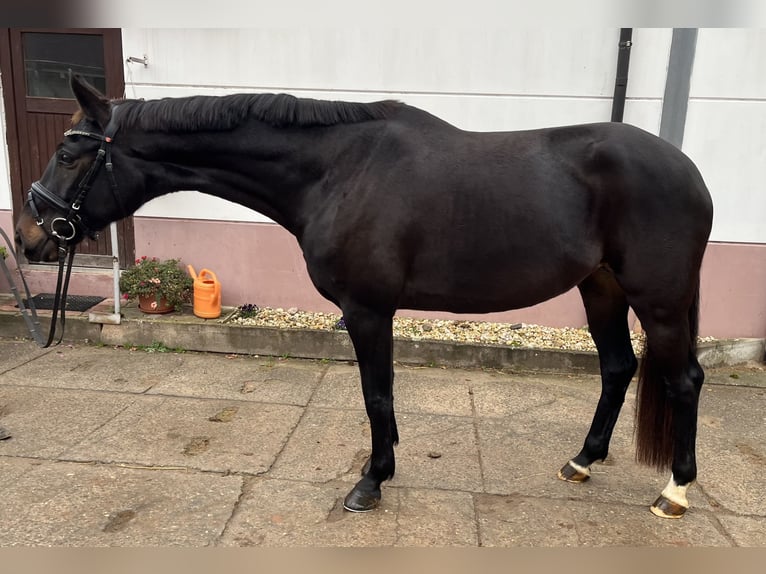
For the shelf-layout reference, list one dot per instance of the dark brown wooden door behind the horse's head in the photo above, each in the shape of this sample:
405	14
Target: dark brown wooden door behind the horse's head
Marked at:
35	66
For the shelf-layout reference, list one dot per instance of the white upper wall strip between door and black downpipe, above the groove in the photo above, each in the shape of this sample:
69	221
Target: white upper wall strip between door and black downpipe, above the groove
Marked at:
518	61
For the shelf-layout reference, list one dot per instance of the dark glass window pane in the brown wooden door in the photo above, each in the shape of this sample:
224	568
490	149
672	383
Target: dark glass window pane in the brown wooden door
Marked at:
49	57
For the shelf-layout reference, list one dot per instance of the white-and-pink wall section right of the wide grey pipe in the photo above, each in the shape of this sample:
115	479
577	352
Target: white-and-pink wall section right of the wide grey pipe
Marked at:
726	137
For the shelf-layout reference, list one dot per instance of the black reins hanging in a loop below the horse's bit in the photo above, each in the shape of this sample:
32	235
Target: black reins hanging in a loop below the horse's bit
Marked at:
28	311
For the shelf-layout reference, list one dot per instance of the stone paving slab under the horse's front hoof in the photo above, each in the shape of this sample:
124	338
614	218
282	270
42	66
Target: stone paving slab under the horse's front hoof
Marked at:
303	514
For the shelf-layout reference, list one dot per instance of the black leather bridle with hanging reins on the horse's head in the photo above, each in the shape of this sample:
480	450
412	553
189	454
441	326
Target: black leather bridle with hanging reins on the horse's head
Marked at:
64	229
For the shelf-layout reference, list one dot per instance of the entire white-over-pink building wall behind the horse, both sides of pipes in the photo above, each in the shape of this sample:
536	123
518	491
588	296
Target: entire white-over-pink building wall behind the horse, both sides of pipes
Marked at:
479	81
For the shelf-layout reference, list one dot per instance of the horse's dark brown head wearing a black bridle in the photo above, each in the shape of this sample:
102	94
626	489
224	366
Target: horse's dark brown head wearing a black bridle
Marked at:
77	194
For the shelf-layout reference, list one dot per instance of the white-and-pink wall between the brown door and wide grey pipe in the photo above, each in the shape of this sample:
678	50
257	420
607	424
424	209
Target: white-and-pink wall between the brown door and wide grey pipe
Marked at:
477	81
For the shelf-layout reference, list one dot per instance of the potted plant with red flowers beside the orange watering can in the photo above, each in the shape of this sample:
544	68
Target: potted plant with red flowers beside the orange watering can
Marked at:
159	286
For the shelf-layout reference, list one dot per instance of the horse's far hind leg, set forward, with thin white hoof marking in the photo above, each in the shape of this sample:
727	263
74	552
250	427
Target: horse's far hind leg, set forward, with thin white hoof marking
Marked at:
607	312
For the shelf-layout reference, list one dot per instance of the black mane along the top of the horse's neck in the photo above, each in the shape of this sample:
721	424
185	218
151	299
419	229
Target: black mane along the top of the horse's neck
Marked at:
213	113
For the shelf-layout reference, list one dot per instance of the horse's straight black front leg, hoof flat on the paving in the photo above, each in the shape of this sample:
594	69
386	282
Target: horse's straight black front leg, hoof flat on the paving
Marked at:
371	334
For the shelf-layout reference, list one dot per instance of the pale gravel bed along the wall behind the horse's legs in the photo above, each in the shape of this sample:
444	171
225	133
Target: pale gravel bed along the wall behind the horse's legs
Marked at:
514	335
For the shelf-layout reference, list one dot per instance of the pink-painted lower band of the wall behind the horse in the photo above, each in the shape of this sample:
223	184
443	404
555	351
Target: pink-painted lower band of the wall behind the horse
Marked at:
262	264
